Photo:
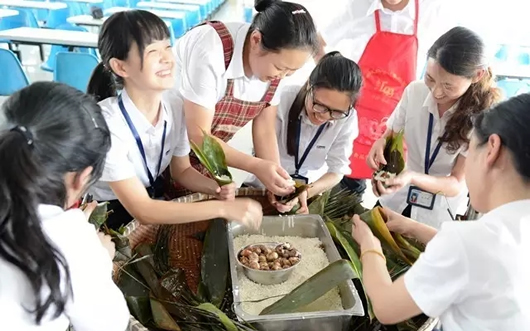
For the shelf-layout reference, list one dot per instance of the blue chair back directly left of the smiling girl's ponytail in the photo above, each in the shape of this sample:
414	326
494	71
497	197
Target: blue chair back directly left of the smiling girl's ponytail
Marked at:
74	69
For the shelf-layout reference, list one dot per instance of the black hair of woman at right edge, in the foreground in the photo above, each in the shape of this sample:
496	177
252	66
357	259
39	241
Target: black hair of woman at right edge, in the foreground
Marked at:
511	121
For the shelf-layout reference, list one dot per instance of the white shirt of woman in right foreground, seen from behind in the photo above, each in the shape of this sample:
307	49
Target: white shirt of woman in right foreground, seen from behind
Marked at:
474	275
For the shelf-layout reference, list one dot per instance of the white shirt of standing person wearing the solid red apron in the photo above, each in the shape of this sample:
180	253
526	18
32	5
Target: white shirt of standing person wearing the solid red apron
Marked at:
354	25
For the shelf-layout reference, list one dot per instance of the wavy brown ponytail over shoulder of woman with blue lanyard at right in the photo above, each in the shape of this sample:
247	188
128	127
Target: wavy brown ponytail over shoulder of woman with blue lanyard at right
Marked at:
479	97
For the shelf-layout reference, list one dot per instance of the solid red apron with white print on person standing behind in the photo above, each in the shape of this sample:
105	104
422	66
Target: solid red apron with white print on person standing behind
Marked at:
388	65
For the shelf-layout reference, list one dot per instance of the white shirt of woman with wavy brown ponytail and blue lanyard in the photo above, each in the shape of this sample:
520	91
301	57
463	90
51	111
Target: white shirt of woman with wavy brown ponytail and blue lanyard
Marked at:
412	116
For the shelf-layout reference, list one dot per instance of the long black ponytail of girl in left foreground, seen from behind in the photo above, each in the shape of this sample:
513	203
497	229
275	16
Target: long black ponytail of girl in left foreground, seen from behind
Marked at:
22	241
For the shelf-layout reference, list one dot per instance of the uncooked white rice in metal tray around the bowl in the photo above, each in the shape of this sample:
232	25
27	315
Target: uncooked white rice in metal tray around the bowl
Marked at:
313	260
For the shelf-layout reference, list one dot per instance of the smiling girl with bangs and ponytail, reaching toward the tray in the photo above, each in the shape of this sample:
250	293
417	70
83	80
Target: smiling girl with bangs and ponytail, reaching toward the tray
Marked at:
147	135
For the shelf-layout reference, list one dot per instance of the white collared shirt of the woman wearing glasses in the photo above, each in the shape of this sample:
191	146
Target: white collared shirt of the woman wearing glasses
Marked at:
330	153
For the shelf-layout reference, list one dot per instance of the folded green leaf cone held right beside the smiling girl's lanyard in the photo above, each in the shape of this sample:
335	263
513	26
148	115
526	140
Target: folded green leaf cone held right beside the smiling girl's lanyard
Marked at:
212	157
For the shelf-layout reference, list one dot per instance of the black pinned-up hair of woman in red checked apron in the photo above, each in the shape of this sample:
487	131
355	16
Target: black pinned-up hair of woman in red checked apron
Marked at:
284	25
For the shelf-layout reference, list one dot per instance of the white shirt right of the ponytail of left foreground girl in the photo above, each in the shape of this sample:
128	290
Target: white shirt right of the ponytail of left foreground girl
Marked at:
90	267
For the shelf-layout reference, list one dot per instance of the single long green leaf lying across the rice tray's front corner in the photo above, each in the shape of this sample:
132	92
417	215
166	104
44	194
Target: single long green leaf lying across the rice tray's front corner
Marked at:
313	288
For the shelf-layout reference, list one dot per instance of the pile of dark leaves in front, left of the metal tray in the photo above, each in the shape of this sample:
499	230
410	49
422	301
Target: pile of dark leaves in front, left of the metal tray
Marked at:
159	297
